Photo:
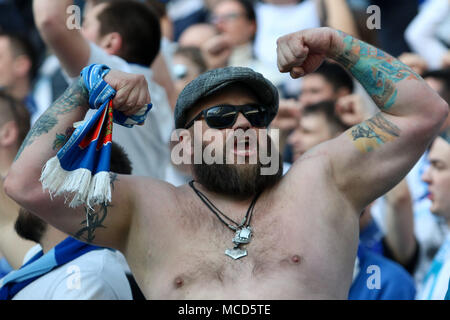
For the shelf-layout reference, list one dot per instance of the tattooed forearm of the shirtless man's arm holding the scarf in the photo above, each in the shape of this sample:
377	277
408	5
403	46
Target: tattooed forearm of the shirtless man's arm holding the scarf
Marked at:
75	96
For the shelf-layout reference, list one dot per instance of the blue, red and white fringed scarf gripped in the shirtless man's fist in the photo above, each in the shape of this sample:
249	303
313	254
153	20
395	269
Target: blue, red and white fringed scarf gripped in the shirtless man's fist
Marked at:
81	166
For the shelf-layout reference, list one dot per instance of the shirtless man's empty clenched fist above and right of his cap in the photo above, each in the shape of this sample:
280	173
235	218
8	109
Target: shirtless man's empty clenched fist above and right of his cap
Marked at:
303	52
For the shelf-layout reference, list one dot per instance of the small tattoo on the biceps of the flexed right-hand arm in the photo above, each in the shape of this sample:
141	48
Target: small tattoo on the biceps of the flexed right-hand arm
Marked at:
373	133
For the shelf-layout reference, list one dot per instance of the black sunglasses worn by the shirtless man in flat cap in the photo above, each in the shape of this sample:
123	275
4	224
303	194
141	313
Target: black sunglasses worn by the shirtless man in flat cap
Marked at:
225	115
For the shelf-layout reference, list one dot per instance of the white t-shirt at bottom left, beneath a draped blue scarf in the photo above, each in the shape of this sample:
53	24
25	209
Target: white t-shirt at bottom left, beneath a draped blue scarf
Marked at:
96	275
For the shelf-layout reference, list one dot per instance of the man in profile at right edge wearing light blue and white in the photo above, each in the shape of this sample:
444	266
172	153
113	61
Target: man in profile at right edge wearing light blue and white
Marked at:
437	176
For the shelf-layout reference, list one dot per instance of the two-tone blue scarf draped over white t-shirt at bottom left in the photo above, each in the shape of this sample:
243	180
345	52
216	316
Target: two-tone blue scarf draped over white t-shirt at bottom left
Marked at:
40	264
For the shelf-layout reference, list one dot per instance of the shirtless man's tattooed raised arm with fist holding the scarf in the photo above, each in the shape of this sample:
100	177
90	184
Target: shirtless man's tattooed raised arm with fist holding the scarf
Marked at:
22	183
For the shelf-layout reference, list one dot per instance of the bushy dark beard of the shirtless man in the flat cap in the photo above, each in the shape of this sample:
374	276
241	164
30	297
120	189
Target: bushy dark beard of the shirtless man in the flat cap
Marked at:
238	180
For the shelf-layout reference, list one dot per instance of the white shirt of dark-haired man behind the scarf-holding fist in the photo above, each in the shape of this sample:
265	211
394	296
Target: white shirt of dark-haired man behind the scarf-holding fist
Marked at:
147	146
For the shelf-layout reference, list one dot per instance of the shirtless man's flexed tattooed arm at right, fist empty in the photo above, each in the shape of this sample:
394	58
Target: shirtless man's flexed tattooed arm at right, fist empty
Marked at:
373	156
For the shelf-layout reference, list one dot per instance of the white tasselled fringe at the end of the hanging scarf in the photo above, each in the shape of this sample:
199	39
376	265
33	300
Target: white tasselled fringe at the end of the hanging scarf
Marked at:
85	188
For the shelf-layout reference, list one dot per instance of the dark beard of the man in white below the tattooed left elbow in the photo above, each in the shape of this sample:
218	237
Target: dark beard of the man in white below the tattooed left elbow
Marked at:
30	226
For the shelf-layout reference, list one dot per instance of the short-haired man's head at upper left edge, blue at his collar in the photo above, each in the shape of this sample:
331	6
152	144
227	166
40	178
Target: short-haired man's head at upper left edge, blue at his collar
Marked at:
18	65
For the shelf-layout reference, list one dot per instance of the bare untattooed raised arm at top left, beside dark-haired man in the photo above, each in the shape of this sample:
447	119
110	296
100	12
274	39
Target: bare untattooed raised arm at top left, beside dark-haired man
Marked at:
57	25
